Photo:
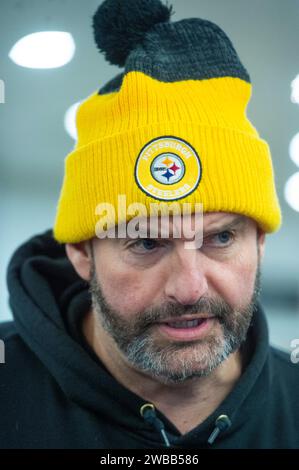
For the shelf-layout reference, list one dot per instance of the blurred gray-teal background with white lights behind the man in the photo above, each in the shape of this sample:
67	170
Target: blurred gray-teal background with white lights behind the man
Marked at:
35	113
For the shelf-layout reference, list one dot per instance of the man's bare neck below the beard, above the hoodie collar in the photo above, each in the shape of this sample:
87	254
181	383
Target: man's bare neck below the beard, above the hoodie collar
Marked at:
186	404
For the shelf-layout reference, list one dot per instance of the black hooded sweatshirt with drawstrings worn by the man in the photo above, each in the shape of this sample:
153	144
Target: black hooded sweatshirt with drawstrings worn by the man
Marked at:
56	393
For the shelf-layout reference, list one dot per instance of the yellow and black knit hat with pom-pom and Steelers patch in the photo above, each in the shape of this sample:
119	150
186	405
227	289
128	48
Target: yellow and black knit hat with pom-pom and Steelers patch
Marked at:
171	127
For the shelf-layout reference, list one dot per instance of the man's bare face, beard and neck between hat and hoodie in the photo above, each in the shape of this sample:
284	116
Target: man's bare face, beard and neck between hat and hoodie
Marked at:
159	283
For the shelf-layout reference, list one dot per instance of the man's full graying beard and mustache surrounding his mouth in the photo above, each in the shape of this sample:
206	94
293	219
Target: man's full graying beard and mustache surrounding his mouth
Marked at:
175	362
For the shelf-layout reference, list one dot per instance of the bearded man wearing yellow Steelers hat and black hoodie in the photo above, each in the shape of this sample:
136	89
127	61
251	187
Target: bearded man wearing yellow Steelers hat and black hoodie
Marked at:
129	333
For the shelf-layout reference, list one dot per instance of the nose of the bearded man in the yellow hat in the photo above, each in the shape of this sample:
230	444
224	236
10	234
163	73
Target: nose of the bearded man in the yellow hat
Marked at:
186	281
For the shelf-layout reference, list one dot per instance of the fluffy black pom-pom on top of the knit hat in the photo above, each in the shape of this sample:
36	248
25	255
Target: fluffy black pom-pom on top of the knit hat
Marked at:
120	25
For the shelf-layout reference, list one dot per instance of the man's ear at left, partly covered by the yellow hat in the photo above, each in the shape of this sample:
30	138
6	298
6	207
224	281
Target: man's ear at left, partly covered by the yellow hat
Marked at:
79	255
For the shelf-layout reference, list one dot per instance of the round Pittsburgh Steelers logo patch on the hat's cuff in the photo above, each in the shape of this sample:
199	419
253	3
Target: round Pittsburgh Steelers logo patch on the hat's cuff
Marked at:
168	168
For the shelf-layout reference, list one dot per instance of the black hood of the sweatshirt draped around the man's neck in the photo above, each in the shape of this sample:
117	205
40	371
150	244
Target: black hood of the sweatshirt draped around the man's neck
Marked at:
43	284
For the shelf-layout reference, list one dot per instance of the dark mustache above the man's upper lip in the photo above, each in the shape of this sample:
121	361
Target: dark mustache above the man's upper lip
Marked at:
213	307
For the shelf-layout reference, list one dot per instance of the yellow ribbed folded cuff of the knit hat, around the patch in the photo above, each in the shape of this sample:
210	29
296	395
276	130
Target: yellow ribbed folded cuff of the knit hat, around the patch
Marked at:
237	176
